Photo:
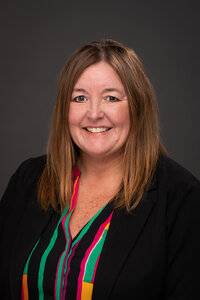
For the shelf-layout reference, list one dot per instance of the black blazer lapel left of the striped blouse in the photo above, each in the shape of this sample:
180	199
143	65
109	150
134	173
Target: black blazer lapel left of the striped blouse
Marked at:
30	228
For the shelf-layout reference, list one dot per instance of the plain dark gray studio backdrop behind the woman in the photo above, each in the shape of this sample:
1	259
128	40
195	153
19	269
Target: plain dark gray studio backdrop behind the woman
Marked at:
38	36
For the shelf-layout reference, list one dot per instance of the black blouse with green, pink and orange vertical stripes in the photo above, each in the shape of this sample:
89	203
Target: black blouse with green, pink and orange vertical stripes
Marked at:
60	267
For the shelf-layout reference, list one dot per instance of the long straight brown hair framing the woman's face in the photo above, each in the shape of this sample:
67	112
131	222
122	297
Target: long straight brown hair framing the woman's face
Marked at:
143	146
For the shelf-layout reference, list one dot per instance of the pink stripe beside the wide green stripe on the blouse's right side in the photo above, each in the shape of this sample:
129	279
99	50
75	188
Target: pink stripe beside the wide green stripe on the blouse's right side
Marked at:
84	261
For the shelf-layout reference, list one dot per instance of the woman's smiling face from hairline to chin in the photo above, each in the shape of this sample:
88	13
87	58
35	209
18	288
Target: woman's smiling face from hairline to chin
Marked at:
99	113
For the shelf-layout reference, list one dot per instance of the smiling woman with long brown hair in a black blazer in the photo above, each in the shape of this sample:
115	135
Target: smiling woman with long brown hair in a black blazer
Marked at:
106	214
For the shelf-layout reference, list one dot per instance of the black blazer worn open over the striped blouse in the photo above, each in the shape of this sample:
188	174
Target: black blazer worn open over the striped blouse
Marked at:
153	253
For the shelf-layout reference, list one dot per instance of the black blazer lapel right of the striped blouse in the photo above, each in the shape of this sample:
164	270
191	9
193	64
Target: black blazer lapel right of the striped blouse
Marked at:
122	236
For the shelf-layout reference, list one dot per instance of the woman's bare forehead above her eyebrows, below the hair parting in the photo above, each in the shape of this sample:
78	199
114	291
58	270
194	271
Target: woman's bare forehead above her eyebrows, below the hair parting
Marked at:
100	75
